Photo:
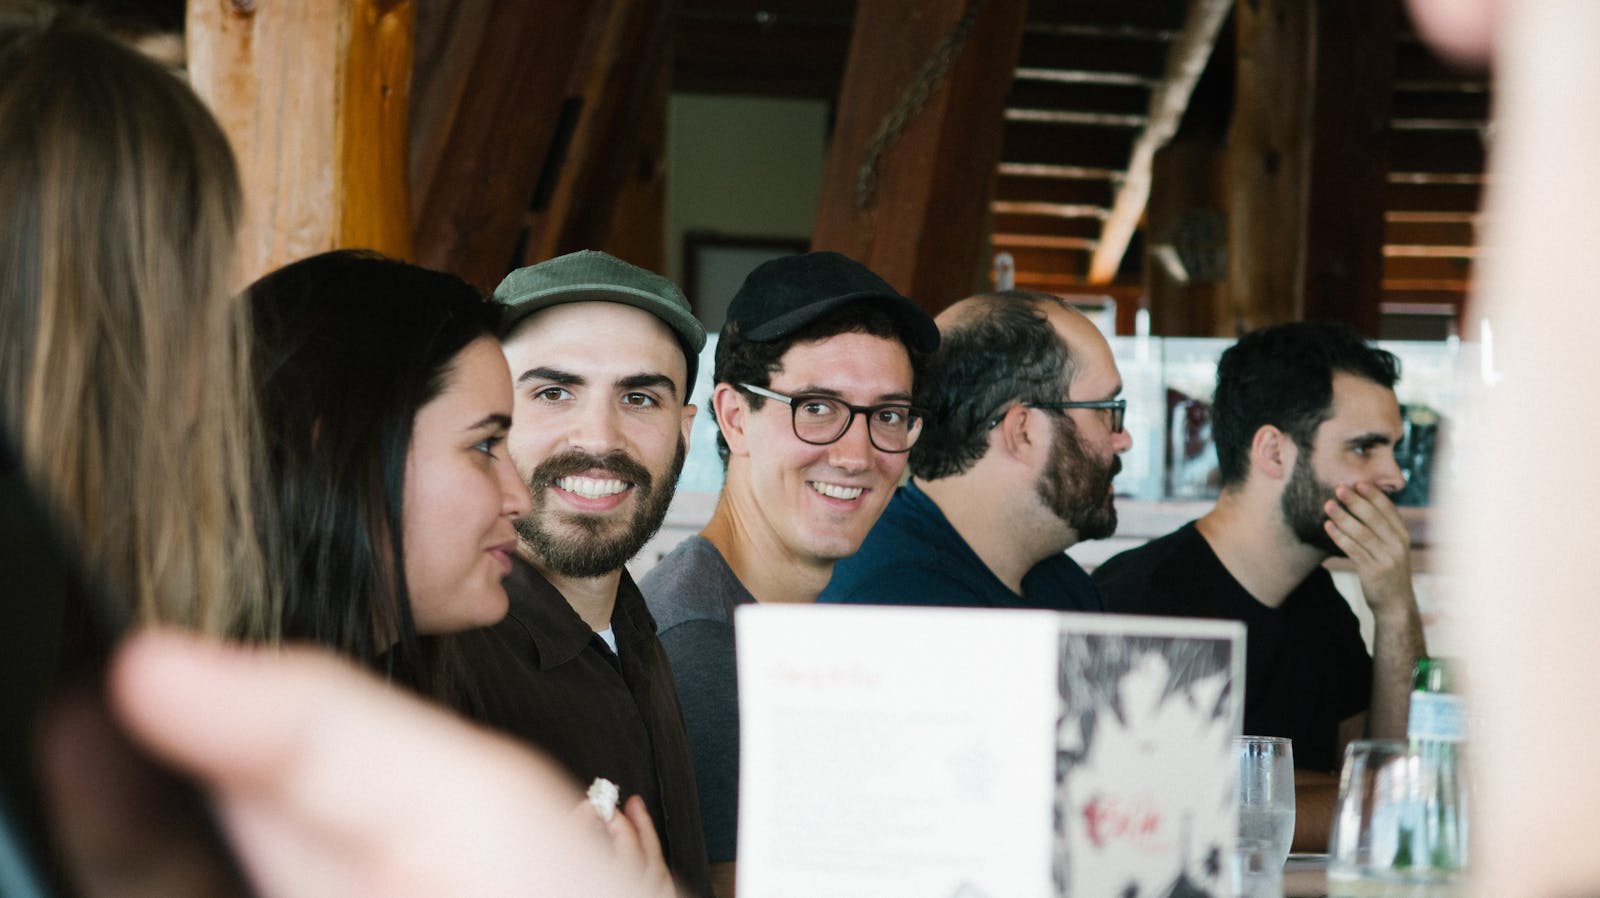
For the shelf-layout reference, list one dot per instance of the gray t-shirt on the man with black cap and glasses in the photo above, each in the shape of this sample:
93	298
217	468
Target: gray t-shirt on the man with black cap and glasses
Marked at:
692	595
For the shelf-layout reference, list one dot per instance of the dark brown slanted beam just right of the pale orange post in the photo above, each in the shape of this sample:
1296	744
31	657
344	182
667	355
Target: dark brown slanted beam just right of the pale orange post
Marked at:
487	122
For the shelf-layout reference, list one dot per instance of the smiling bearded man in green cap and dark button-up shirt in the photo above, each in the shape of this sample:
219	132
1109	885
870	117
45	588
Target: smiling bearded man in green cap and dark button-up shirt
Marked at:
602	359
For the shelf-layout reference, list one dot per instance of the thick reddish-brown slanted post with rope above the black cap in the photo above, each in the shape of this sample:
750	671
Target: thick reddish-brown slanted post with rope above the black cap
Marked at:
911	204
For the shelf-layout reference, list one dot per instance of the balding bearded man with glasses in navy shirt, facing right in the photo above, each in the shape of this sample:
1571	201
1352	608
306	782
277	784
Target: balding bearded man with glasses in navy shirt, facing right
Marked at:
1017	465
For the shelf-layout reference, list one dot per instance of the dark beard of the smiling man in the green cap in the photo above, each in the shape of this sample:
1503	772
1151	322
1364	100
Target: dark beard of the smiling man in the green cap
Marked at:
593	551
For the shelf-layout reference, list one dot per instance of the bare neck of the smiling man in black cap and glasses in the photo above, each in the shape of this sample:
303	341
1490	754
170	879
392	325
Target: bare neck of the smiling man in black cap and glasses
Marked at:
758	558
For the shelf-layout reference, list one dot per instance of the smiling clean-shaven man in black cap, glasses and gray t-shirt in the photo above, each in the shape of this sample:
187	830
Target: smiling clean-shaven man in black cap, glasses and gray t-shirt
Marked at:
814	403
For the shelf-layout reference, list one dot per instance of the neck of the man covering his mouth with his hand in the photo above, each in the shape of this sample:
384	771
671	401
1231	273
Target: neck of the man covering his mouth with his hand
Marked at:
1255	545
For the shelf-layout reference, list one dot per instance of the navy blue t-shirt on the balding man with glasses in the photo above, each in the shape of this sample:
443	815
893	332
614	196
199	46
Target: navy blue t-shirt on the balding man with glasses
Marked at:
913	556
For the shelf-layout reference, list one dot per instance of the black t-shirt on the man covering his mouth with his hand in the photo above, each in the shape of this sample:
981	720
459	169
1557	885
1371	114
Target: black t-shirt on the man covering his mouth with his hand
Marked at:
1306	667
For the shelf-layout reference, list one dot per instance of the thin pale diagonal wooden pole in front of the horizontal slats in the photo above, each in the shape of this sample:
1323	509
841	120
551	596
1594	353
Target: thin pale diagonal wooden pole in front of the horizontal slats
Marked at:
1185	65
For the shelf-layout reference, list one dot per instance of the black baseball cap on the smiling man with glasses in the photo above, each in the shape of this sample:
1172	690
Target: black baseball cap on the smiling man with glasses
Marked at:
786	294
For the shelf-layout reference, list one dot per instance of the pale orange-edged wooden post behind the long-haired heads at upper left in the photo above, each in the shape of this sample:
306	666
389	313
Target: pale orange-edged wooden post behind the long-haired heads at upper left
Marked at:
316	102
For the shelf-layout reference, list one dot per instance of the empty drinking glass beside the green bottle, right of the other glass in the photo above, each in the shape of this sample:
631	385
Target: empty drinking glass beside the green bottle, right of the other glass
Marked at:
1385	827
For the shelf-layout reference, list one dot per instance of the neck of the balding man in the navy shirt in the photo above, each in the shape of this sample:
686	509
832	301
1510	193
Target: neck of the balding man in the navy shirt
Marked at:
1009	540
